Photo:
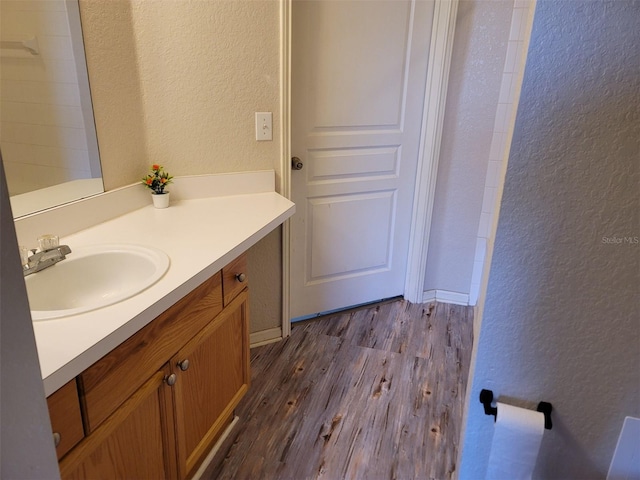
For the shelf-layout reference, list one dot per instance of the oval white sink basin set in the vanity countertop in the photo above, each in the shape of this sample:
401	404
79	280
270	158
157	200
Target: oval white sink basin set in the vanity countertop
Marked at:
93	277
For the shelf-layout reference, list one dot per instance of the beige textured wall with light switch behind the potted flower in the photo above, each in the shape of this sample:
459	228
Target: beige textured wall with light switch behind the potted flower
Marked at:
177	82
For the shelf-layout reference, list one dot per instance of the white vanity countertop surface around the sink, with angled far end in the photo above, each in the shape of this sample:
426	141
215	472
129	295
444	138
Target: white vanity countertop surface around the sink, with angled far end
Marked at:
199	235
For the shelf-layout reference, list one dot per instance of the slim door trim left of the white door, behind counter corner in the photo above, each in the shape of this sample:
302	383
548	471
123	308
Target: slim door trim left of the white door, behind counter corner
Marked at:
285	157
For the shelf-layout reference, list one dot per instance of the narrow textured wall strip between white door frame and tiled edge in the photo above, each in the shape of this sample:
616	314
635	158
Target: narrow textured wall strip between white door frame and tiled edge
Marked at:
480	45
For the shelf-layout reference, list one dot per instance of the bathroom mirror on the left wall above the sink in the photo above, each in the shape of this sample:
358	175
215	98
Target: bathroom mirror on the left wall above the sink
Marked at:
48	138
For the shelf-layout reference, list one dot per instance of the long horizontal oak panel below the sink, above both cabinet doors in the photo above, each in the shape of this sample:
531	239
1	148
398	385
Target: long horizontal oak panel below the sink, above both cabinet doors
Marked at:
109	382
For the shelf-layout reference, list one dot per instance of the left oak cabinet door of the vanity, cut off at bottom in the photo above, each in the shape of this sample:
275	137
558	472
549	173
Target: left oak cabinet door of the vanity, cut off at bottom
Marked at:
136	441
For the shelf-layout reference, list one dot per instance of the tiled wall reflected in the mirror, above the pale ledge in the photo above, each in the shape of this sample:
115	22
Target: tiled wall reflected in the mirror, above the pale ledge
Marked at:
43	129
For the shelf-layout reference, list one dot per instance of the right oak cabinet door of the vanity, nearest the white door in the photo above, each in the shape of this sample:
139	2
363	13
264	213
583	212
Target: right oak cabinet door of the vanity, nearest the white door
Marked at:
212	376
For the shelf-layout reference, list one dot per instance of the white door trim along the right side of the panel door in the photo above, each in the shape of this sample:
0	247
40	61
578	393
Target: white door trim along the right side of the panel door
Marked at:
429	153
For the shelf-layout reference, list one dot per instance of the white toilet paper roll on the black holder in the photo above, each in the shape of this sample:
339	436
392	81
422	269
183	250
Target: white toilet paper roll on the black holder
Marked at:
516	442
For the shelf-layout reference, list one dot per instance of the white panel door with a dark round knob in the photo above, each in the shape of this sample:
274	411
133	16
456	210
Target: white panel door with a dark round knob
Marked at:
358	83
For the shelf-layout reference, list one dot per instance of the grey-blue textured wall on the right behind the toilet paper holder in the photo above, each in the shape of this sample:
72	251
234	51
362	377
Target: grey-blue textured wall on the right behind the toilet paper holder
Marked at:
561	318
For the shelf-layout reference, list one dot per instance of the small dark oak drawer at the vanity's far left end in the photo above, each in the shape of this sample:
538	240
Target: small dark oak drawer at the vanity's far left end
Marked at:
66	419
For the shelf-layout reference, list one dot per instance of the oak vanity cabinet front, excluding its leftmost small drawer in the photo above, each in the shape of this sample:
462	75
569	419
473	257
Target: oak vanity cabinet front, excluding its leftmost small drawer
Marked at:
156	405
